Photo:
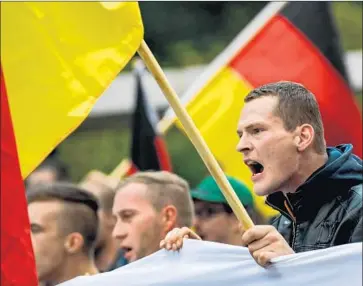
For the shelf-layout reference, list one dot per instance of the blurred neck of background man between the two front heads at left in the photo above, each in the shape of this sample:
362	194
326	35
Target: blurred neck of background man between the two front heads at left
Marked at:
107	254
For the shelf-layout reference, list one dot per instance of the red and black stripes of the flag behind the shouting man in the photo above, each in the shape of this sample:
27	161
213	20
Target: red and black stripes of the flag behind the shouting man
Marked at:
302	45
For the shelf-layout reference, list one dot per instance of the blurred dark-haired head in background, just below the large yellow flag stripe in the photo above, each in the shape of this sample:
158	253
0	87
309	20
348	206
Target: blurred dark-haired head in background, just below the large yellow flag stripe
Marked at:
49	171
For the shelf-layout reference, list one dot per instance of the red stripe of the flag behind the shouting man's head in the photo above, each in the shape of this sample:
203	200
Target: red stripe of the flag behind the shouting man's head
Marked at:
281	52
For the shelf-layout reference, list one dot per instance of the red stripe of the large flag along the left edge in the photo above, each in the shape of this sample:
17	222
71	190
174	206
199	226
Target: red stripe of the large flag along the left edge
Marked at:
17	259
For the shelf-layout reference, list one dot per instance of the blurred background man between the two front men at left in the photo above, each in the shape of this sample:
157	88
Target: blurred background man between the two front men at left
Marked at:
108	255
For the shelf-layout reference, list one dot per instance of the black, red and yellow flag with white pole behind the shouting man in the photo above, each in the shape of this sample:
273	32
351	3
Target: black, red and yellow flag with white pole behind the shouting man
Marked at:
297	42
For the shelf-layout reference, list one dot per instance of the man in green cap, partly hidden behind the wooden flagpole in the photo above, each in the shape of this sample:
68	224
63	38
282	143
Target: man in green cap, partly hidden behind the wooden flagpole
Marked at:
215	220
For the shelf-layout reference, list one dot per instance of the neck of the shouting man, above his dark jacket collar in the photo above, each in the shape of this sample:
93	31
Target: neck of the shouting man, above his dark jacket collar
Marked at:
308	165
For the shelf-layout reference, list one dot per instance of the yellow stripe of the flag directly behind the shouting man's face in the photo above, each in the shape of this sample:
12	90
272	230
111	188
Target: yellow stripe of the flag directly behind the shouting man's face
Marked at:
215	111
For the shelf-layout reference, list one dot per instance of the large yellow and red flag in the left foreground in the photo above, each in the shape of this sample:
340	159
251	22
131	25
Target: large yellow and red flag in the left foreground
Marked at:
57	58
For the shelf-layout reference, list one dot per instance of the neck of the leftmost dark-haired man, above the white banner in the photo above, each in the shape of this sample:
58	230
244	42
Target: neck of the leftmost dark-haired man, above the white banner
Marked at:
76	266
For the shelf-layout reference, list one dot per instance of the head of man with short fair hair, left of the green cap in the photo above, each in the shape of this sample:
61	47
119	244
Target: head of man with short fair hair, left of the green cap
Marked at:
147	206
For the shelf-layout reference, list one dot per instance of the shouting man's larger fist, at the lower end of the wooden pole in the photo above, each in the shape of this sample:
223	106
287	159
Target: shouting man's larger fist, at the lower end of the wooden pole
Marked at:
264	243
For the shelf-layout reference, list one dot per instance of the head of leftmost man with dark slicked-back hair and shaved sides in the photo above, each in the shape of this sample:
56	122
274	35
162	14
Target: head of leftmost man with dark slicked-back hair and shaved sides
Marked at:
64	226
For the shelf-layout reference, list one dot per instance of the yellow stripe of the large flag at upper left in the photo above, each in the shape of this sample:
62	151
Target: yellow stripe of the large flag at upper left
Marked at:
57	59
